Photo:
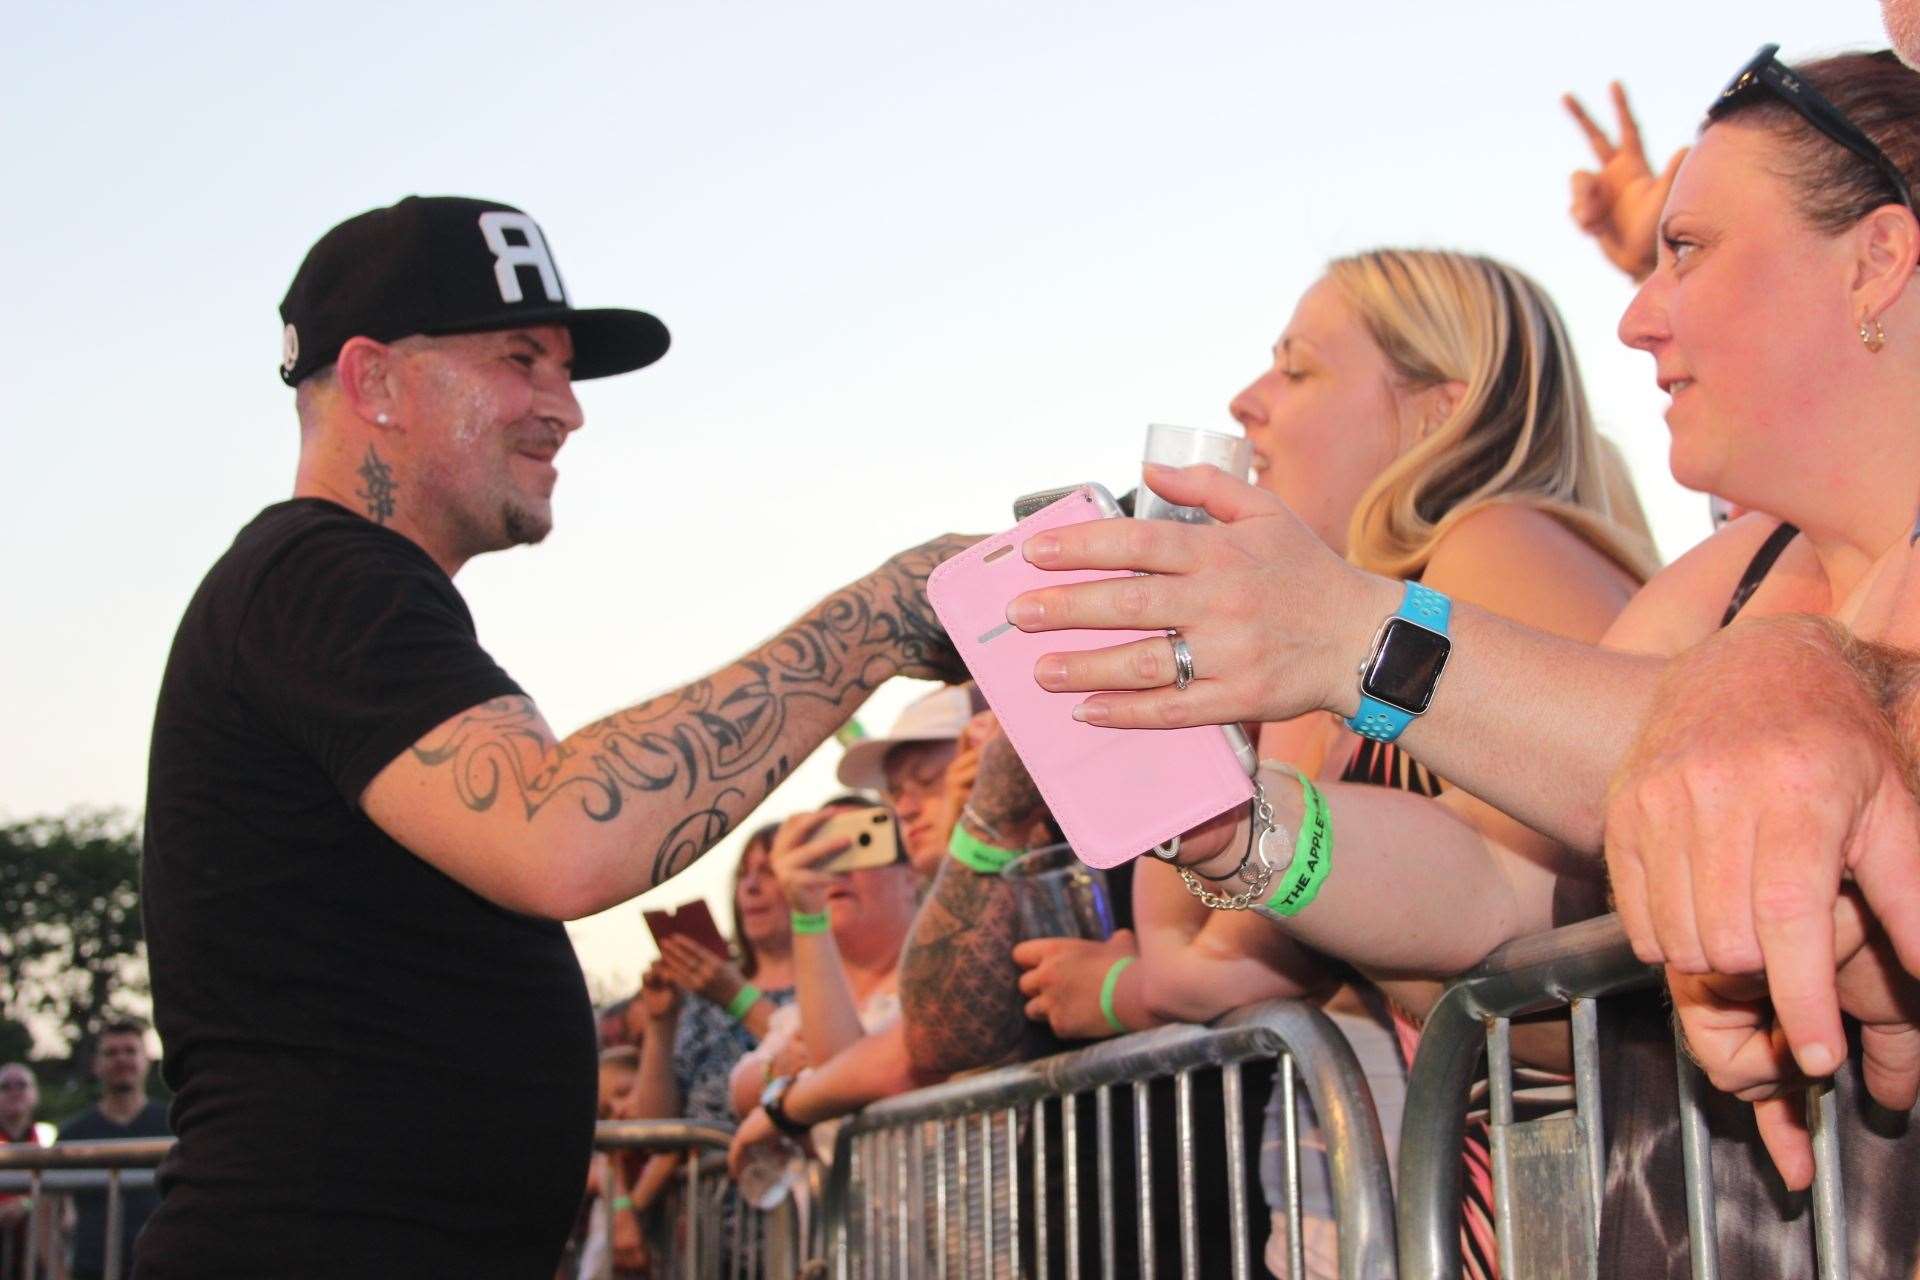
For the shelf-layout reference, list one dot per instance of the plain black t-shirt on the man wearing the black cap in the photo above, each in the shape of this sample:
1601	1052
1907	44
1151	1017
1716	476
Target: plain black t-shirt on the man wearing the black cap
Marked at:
375	1070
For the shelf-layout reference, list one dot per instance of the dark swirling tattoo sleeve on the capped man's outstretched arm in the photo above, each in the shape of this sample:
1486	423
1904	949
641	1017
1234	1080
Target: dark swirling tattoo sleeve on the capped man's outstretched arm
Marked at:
706	755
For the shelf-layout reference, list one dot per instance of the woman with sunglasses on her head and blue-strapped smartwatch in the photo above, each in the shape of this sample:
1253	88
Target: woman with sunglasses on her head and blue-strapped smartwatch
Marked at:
1783	320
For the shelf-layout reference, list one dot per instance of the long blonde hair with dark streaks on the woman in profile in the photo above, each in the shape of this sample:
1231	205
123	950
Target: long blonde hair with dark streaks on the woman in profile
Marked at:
1522	433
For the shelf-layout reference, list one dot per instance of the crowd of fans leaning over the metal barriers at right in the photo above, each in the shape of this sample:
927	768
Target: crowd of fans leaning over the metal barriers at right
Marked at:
1424	419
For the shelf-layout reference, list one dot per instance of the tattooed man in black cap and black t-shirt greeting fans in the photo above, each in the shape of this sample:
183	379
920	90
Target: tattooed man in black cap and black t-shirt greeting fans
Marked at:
362	834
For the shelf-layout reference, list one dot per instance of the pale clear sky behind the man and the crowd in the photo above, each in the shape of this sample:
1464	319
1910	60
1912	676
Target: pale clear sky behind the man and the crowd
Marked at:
917	260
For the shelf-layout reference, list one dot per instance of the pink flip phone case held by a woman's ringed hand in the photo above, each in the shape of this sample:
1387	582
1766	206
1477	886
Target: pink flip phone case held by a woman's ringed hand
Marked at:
1115	794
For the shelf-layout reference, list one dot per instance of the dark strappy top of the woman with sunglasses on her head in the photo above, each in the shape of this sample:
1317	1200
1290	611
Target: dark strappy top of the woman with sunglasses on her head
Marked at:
1764	1229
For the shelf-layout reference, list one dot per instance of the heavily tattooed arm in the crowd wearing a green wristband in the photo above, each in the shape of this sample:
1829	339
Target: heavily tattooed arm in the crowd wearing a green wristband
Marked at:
961	999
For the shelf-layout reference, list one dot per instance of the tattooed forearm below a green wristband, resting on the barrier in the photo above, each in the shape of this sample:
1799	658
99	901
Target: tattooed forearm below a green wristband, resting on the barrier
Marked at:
961	999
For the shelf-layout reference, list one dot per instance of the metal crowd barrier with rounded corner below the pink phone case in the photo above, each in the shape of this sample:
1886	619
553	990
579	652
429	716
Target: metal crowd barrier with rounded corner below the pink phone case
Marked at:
955	1150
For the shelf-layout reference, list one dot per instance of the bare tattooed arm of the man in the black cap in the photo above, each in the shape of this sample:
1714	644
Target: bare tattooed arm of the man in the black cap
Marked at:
565	828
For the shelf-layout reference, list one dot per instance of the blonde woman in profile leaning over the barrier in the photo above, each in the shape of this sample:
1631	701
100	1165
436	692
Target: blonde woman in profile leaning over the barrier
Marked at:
1424	414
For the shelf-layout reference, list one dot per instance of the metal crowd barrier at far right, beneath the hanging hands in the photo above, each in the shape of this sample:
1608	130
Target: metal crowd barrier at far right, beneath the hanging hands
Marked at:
1558	1158
